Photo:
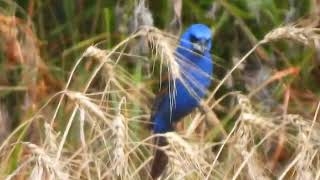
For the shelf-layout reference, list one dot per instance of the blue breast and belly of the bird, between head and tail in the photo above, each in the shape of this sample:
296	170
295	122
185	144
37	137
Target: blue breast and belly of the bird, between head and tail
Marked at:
196	74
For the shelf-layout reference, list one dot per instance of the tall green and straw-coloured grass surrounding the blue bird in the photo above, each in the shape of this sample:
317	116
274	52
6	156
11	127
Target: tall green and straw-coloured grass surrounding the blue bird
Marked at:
87	106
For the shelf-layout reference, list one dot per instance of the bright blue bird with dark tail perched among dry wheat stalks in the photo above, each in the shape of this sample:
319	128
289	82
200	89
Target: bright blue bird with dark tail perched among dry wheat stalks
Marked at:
195	65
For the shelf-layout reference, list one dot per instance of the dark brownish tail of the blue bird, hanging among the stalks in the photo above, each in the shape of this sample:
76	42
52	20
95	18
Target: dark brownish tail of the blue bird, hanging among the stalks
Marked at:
160	159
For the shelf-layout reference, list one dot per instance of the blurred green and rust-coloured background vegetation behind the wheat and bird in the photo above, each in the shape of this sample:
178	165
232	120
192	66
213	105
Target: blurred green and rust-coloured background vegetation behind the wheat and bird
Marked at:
40	42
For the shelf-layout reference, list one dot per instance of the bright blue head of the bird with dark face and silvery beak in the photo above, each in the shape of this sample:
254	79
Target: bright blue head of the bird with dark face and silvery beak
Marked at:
197	38
